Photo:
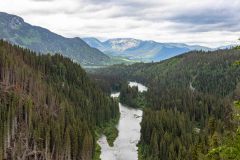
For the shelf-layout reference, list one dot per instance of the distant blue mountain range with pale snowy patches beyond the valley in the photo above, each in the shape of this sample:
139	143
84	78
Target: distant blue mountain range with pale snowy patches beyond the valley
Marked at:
139	50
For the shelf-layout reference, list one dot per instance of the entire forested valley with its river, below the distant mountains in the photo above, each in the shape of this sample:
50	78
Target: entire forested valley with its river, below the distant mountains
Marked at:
164	120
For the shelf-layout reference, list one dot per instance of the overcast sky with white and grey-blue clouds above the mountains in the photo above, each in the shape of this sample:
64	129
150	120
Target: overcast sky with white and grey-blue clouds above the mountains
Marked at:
205	22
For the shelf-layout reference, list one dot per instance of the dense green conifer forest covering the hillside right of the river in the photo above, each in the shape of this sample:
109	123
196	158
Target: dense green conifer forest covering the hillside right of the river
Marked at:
189	111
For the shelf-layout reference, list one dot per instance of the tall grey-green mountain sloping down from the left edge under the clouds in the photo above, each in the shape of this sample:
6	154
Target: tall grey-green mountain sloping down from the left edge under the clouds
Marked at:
16	31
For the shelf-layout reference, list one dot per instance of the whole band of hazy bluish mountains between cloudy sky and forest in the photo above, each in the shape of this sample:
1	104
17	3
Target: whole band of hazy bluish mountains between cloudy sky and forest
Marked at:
88	51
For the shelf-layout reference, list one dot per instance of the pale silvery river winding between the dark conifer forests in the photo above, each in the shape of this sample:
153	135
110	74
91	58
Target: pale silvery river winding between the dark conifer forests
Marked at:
125	146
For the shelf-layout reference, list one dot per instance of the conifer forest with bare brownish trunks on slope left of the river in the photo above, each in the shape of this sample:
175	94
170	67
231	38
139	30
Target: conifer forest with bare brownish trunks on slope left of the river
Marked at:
49	108
